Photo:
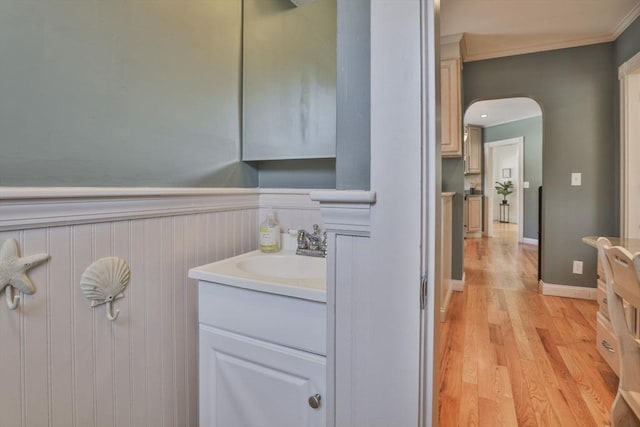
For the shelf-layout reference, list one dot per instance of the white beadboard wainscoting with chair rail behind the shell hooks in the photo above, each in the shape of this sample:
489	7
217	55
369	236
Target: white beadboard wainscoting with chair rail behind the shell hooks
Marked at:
63	363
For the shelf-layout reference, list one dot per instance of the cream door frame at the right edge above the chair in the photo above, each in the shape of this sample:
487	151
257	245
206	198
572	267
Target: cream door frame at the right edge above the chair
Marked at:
629	76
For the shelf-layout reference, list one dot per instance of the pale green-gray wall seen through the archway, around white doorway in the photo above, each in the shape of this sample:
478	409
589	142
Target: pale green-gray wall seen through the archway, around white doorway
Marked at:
531	130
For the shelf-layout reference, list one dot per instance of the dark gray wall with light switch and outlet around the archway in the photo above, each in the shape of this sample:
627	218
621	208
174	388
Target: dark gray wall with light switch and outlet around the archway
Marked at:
575	89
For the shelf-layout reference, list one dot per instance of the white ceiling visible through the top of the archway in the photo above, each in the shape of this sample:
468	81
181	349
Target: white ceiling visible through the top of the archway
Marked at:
499	111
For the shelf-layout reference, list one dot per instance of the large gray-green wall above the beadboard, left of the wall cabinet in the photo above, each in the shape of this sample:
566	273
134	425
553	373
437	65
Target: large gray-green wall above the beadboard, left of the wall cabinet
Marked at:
136	93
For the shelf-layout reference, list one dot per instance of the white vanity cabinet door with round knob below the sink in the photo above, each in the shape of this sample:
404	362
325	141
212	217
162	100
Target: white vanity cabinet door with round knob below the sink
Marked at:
245	382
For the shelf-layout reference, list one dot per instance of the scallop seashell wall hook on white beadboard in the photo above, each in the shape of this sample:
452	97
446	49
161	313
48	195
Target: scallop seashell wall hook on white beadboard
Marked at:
104	281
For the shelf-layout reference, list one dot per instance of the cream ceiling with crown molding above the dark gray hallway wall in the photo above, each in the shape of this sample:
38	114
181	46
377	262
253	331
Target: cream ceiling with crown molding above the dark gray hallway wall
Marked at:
496	28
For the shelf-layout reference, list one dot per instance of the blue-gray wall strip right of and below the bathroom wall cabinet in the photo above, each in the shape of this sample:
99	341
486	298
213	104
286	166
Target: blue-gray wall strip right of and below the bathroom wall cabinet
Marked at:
351	168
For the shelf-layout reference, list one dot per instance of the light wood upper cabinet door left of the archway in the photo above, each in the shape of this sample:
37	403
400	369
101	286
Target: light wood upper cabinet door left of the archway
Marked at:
450	116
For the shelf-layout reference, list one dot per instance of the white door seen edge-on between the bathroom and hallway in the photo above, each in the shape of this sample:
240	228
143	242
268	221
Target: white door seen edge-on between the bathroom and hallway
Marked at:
431	201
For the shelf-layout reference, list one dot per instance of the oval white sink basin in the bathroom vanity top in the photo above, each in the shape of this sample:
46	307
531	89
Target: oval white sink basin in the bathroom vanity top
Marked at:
285	266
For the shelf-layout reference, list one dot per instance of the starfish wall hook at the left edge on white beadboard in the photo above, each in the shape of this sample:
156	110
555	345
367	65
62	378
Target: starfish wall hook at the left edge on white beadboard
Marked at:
13	270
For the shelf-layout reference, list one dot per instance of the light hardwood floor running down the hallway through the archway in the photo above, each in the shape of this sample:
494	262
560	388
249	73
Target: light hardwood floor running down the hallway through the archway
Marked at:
513	357
